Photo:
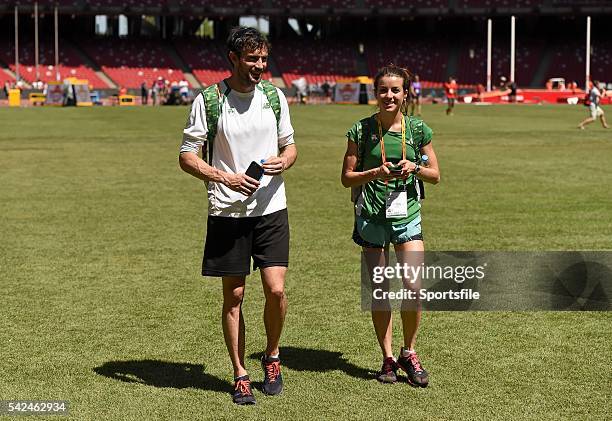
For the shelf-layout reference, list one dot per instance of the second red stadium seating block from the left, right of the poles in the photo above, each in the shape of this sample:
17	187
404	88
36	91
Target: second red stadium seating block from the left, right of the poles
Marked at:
129	62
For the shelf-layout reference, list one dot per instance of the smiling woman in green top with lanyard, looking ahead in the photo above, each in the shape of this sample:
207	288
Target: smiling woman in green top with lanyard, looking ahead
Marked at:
374	144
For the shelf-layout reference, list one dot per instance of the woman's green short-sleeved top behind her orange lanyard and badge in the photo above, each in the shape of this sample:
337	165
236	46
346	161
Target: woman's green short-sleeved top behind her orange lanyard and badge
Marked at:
371	205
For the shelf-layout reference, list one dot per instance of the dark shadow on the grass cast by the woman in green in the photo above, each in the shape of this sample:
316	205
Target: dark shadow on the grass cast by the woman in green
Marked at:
318	360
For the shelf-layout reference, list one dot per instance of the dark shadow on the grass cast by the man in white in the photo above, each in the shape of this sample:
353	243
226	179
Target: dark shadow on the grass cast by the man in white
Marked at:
163	374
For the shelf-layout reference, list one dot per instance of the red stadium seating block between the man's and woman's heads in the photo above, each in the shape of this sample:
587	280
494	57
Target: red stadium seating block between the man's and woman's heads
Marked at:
316	61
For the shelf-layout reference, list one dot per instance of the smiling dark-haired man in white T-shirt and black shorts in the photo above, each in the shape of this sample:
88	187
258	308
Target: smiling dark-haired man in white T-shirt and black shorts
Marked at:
247	218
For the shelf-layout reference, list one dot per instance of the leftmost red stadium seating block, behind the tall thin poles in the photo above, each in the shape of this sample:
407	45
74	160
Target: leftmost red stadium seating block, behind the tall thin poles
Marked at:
71	64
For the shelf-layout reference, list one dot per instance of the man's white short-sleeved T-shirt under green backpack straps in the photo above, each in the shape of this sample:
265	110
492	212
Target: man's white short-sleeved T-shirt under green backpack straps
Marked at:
247	132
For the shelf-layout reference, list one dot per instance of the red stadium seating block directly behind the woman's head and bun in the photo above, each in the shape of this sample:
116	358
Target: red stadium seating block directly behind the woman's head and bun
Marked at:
428	59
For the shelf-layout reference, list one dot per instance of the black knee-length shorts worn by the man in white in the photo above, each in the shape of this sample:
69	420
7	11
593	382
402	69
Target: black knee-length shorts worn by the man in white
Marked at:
232	242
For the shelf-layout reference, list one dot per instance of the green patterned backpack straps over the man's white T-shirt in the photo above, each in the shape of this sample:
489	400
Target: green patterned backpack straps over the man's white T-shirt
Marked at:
213	103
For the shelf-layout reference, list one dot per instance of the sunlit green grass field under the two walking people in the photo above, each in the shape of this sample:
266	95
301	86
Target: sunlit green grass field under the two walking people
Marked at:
102	303
